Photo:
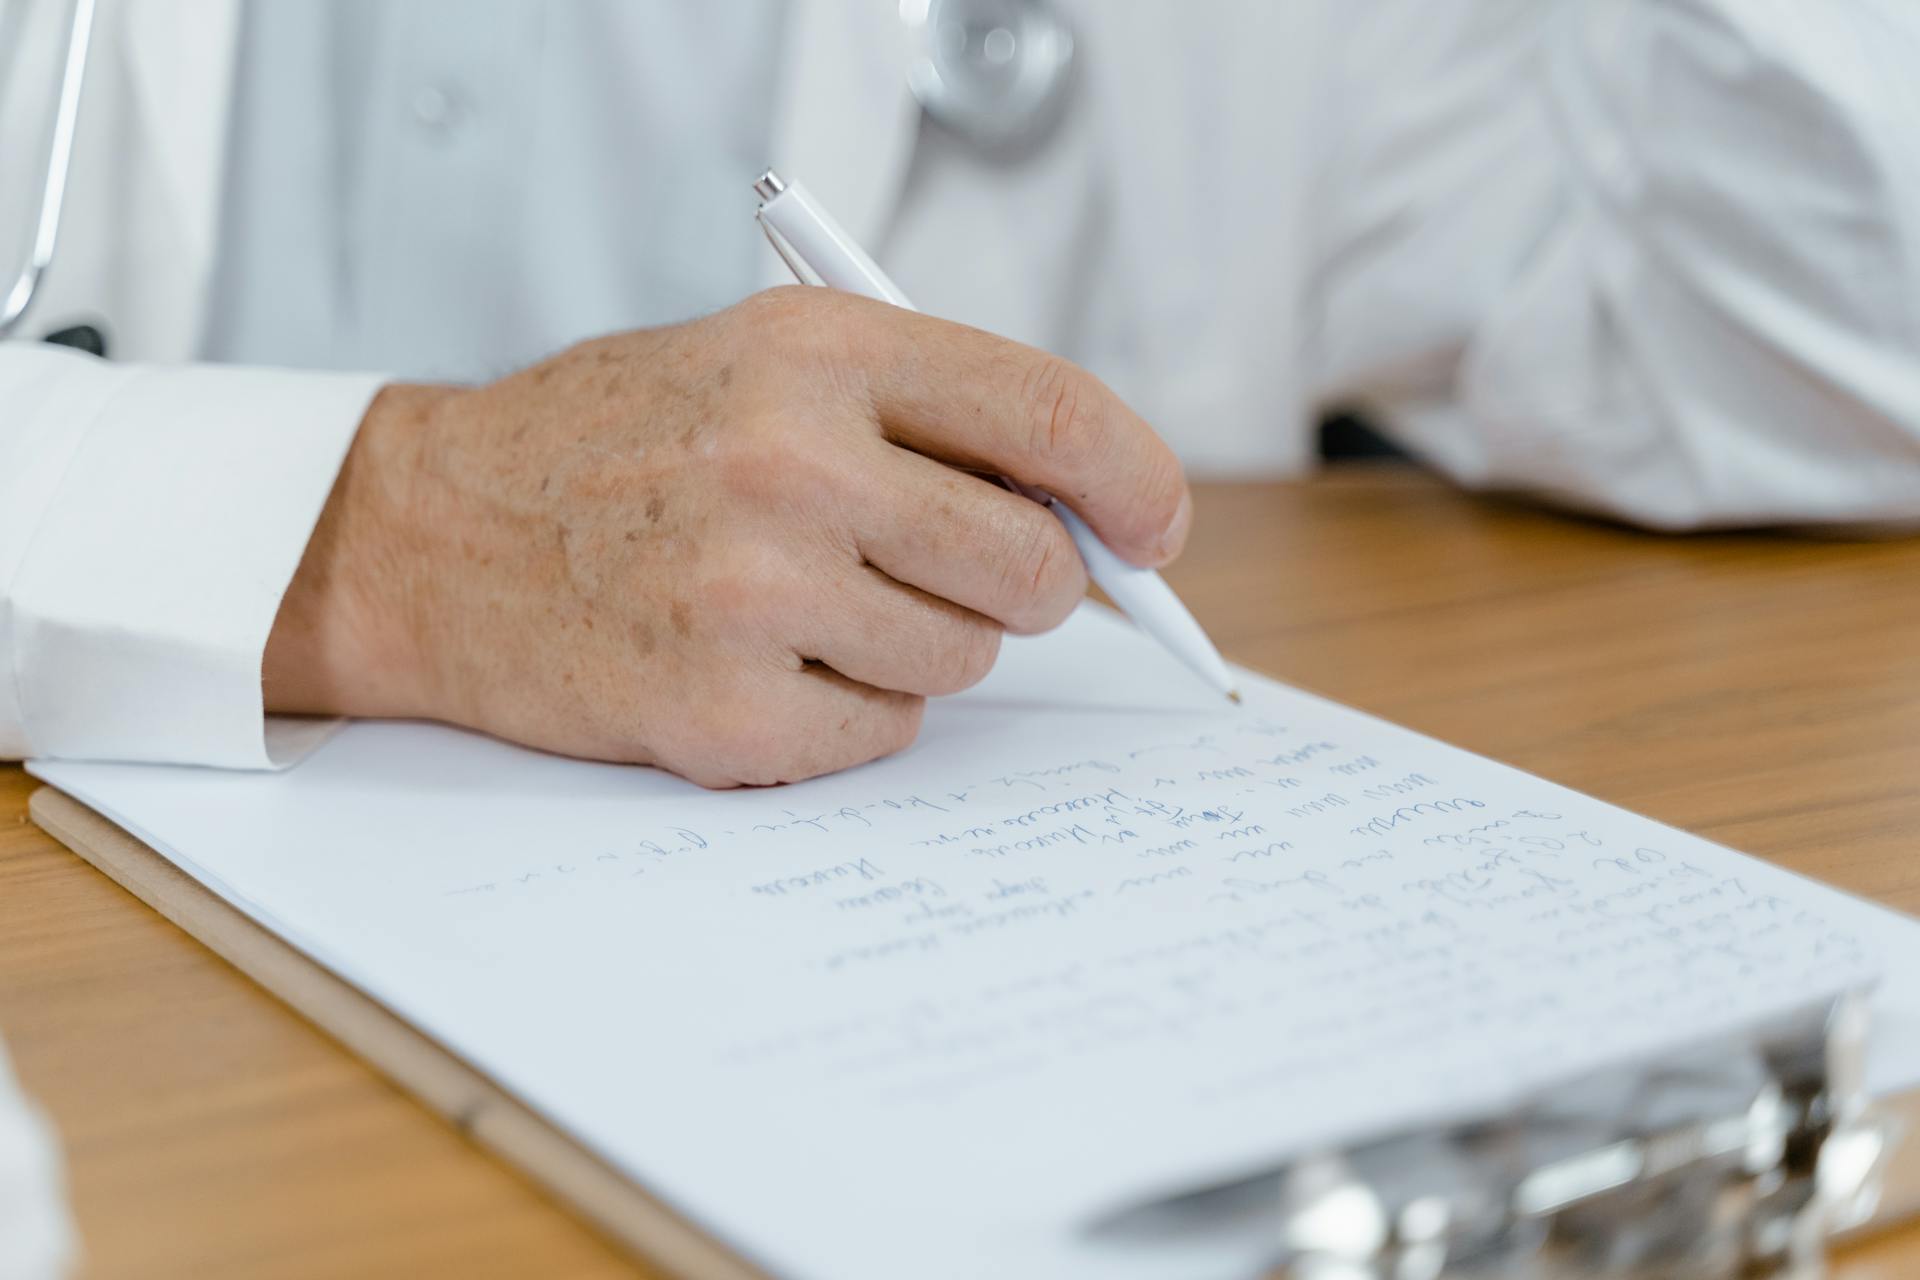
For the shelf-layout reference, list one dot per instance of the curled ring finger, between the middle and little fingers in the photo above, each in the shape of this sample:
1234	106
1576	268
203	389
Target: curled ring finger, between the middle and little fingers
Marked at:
892	636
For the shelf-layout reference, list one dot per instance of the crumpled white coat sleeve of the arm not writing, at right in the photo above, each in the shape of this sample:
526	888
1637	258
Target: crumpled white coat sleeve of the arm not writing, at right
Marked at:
1721	321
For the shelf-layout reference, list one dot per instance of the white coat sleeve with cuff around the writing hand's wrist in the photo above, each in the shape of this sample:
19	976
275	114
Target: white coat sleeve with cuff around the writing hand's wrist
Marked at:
151	521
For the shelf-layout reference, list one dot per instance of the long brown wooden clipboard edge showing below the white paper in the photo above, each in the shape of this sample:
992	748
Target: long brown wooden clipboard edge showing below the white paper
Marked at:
567	1172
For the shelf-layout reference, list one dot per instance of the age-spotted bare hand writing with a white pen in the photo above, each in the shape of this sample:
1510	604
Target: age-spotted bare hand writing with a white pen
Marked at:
740	548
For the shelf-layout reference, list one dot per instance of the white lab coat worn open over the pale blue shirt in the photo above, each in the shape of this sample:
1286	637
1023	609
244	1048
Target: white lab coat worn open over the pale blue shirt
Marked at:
1650	258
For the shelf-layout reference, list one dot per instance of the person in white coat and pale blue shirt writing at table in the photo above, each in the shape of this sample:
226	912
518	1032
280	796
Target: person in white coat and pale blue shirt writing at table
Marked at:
1646	258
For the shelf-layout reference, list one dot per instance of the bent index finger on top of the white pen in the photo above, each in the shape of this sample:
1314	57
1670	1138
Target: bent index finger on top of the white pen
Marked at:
974	400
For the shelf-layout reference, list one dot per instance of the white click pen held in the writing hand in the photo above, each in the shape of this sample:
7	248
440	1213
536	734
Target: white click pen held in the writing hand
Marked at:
819	252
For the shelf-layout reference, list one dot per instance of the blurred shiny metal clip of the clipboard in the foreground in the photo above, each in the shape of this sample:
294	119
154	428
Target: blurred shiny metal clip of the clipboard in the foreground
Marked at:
1739	1158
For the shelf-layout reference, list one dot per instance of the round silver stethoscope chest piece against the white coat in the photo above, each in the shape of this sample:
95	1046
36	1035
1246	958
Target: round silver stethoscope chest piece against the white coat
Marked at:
994	72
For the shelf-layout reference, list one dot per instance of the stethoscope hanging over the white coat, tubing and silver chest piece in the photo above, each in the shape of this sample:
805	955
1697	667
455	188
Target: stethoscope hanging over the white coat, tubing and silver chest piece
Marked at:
992	72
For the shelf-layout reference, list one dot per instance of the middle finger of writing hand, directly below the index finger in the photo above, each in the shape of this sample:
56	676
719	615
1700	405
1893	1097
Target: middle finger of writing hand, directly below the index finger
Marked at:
967	540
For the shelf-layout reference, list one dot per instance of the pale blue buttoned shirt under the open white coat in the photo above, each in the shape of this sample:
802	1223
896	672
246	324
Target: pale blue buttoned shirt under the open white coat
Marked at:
452	193
